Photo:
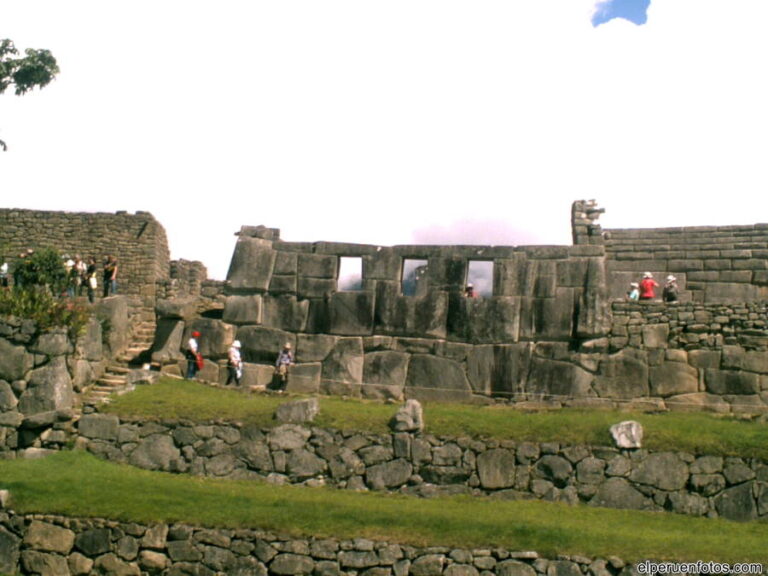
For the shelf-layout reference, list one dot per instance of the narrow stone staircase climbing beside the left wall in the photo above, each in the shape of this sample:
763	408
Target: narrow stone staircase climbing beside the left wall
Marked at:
114	379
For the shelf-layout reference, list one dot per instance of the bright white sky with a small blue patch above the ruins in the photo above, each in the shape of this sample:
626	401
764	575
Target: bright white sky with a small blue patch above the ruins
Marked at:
391	122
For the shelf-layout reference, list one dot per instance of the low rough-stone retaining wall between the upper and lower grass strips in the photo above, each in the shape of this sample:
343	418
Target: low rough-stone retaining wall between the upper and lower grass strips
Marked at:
424	465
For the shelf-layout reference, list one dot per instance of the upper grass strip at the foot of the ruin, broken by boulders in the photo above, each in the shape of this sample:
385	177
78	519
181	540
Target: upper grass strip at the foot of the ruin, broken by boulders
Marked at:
695	433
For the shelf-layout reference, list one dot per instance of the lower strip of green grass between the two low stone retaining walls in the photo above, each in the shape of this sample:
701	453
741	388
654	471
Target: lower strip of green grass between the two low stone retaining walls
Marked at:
77	484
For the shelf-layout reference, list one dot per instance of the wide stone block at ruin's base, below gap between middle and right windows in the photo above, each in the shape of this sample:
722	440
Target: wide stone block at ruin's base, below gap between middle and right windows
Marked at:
432	378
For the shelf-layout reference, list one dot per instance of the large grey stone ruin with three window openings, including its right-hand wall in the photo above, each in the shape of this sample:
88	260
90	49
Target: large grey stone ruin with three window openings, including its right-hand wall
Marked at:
548	323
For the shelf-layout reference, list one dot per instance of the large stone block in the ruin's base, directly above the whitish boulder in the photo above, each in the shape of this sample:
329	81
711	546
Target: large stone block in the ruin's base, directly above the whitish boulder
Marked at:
623	375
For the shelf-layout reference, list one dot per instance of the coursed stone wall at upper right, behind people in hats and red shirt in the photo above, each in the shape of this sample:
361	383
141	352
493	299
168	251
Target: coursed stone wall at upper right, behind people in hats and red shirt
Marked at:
712	264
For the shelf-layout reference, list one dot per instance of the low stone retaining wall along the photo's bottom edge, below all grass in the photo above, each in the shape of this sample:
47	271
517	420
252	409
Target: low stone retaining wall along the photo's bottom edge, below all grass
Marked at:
34	544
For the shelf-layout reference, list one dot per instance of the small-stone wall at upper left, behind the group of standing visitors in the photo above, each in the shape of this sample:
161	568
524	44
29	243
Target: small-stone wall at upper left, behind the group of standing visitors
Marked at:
137	240
